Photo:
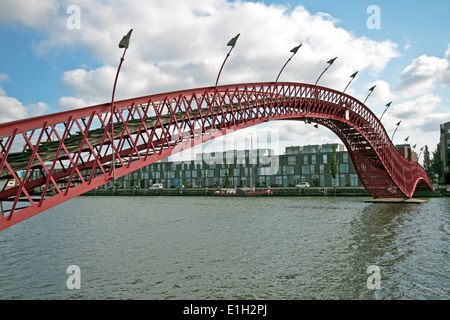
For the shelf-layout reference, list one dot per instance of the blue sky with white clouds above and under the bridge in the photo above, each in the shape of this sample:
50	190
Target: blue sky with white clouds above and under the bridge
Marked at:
60	55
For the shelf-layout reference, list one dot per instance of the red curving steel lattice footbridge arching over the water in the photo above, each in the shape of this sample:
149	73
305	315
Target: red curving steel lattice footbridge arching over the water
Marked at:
49	159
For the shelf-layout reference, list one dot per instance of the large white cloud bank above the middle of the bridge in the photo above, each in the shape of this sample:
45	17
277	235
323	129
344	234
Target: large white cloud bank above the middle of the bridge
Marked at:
181	44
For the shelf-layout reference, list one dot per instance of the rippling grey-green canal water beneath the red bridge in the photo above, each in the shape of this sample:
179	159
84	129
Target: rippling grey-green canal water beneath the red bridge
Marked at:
279	248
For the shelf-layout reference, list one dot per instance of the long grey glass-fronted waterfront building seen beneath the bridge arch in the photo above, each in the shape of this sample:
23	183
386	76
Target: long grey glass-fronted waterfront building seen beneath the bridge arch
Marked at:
245	168
